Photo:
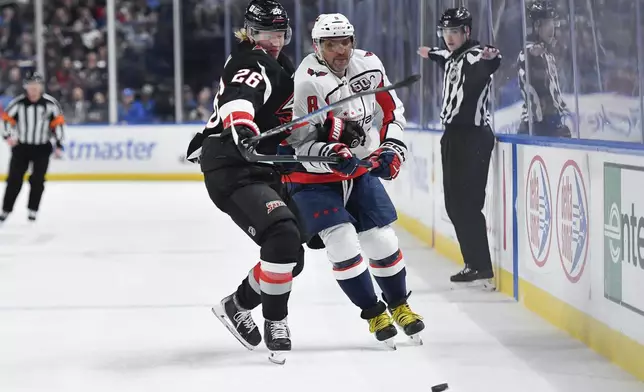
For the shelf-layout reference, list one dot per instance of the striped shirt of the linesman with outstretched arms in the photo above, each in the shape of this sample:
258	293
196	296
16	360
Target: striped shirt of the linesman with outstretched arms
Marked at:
466	84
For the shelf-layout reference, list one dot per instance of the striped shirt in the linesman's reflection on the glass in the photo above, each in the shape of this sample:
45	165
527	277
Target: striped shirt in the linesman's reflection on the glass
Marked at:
541	90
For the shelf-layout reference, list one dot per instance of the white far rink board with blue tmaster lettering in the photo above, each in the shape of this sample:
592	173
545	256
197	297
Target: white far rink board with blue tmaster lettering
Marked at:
147	149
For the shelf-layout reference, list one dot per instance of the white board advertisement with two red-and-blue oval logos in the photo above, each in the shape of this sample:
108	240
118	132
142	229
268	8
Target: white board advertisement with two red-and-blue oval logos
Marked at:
553	215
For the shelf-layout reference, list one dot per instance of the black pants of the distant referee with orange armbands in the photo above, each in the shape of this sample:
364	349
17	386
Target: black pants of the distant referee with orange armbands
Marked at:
21	156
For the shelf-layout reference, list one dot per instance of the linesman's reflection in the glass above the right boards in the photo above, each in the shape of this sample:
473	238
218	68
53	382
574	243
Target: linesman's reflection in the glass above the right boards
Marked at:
543	104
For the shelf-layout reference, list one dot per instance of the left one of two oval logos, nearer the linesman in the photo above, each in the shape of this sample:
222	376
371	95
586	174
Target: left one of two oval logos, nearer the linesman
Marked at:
538	211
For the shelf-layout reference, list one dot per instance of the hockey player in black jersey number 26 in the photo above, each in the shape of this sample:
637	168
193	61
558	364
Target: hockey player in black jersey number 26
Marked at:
255	95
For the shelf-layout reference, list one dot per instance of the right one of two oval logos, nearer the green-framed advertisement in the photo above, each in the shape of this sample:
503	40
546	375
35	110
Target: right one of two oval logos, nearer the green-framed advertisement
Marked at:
572	221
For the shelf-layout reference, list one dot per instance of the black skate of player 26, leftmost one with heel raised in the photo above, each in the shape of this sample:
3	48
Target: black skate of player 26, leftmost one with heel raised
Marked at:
239	321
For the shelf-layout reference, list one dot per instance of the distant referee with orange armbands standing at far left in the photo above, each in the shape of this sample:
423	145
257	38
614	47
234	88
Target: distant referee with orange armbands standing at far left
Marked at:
31	121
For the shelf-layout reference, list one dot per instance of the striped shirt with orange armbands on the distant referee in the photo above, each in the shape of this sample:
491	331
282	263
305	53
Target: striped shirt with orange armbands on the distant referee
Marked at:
34	123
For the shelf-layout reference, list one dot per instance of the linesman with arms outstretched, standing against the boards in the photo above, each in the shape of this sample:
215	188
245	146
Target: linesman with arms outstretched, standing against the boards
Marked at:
468	140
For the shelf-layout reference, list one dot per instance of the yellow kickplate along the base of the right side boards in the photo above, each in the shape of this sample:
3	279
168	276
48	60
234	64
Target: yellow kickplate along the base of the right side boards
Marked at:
613	345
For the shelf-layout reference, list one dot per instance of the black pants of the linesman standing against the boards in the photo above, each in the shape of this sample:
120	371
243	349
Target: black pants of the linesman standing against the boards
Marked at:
466	152
